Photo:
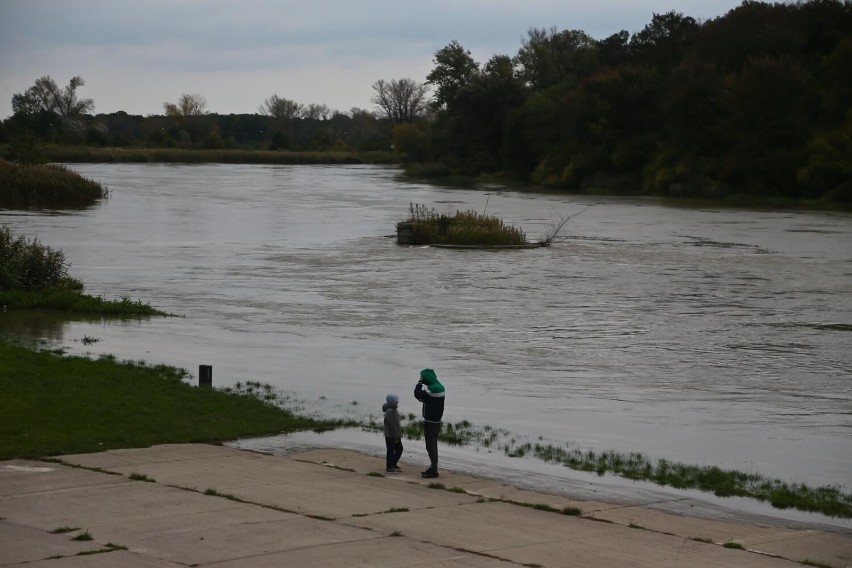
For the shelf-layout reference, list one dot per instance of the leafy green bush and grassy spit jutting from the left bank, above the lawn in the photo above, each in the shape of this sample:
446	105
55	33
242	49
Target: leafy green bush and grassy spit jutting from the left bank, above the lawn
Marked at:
35	276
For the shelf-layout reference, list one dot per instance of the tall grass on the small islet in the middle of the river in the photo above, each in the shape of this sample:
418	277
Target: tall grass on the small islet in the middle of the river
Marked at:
463	228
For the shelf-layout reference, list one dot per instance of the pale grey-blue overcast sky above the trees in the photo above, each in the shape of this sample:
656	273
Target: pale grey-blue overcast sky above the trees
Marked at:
134	55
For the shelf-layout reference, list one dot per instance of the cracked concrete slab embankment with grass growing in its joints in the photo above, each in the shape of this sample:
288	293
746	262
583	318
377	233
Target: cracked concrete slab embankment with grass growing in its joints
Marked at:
199	504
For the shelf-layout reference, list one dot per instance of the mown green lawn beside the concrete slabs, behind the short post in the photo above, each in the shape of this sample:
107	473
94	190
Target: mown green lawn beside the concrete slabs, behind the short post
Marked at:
54	405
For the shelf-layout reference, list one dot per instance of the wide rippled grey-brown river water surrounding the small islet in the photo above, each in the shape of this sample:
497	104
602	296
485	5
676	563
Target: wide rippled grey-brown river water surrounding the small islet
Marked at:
701	335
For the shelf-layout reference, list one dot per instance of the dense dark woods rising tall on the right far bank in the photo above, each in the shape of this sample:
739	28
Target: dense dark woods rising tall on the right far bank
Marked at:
756	102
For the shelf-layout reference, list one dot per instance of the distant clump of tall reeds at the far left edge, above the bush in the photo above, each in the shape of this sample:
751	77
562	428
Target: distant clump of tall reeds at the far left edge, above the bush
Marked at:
45	186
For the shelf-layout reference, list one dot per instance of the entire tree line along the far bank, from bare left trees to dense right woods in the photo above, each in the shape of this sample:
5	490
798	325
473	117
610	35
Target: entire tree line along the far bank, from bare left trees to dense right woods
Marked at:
756	102
